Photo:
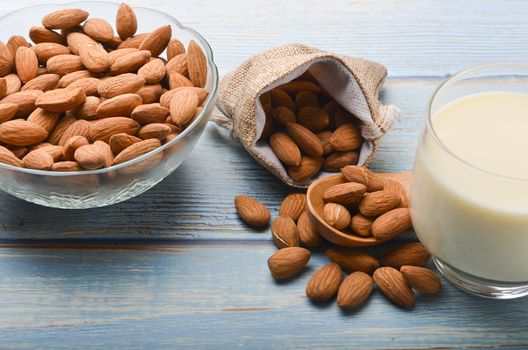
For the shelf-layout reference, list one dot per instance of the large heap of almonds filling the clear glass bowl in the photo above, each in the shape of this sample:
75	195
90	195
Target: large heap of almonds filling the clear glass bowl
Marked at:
83	97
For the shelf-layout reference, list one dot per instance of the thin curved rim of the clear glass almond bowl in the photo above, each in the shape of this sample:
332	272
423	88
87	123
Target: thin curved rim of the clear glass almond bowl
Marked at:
188	130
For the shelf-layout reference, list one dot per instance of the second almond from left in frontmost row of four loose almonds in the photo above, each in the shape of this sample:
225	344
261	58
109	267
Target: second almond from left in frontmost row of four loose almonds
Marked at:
354	290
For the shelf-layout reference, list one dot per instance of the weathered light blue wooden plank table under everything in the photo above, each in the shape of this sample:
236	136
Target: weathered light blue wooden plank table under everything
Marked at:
175	267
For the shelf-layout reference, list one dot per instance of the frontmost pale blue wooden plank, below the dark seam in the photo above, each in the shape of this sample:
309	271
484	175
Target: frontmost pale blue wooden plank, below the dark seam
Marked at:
219	296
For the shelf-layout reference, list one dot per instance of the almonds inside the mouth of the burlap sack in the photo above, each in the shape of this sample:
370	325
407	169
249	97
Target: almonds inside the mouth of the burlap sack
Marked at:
308	130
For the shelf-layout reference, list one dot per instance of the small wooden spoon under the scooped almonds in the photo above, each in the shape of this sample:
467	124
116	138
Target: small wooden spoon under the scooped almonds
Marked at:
316	204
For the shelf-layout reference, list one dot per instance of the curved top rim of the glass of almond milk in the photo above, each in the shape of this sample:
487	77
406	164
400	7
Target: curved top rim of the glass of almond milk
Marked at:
437	139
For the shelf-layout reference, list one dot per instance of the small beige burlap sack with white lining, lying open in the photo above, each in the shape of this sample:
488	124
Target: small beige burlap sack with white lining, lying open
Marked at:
353	82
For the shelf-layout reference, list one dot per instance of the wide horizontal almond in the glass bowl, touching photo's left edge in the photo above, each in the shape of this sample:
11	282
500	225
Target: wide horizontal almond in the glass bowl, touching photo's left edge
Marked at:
21	133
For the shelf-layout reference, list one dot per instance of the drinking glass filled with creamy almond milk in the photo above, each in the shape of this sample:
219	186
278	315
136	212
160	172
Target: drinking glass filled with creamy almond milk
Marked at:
469	192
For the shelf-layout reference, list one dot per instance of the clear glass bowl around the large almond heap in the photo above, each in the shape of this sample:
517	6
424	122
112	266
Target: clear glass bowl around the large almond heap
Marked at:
97	188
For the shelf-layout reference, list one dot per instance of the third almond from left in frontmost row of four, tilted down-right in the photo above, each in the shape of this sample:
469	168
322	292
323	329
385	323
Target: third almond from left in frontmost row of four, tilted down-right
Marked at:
392	284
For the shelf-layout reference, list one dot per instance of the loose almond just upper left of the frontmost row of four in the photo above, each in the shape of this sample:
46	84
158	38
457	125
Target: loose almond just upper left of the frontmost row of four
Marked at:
288	262
